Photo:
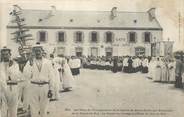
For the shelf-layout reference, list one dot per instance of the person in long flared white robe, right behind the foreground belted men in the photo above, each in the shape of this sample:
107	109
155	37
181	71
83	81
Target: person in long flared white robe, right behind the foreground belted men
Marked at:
67	77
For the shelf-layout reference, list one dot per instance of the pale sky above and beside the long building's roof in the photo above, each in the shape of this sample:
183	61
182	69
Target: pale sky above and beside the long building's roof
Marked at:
166	11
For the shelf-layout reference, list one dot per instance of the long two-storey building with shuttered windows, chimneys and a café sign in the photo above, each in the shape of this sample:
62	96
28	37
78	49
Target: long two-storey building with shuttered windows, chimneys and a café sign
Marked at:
97	33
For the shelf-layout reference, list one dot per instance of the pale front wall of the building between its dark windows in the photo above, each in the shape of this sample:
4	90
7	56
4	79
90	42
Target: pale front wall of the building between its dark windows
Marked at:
120	46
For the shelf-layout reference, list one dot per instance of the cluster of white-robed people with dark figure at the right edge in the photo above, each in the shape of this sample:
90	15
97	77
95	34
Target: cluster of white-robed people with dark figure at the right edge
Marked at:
167	70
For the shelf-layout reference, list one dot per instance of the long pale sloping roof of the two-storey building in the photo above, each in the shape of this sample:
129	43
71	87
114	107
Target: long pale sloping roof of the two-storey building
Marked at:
93	19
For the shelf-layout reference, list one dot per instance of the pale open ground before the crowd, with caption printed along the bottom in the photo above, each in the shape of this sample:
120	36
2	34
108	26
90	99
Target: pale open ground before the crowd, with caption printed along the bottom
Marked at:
106	94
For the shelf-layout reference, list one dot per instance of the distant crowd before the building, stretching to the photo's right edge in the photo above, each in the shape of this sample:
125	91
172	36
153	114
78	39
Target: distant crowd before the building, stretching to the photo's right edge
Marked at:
160	69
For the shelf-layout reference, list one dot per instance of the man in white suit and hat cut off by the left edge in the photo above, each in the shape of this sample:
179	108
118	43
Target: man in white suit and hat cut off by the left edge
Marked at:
9	72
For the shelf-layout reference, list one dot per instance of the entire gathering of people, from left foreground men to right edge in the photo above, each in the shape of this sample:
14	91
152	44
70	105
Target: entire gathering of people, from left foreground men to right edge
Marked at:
37	80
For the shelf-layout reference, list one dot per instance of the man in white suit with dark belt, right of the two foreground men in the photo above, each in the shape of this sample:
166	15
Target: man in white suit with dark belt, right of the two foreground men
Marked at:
41	76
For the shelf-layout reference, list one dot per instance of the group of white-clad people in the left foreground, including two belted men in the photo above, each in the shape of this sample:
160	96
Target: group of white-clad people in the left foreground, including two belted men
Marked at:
31	84
